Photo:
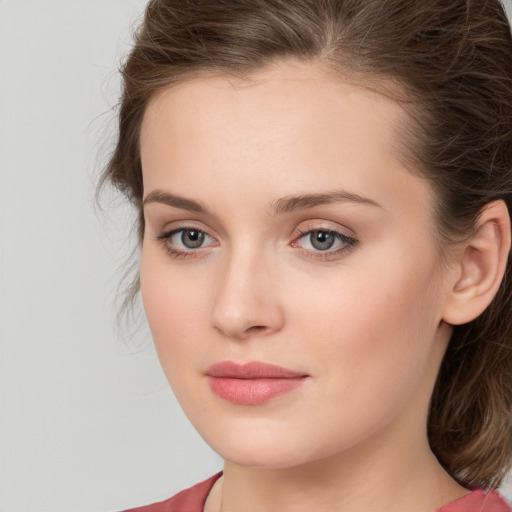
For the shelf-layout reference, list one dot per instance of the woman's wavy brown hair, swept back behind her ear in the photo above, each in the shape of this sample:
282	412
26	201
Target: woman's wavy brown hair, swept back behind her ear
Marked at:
450	66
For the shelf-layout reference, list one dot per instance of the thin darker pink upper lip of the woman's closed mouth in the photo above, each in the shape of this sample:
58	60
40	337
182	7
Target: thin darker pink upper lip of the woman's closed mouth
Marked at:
251	370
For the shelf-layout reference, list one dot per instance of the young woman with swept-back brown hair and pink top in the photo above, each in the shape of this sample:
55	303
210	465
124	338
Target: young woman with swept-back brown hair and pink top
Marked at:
323	189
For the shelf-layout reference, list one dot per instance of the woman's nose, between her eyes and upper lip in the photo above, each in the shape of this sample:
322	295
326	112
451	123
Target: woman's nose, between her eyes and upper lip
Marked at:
247	303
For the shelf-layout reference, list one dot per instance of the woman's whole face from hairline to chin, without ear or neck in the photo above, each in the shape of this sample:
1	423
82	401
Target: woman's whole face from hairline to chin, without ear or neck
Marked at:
283	231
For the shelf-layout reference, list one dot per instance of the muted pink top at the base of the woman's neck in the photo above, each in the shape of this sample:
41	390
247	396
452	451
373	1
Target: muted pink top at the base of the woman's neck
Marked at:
193	499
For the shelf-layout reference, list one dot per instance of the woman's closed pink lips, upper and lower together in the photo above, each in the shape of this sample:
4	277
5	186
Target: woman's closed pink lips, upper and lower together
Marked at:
252	383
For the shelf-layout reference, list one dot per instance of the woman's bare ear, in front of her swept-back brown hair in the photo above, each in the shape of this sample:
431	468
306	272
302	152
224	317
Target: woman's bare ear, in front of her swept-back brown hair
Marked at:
480	266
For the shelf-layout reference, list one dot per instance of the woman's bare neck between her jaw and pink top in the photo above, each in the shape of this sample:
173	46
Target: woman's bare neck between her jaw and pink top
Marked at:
354	482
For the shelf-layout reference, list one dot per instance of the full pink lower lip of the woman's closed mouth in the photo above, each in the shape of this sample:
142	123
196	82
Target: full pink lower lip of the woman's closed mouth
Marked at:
252	391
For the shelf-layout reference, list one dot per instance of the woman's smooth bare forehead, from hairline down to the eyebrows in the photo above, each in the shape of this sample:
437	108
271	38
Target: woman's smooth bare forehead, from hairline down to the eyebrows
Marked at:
288	129
